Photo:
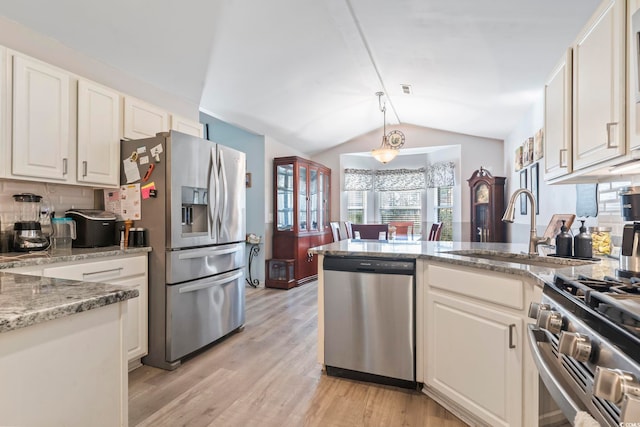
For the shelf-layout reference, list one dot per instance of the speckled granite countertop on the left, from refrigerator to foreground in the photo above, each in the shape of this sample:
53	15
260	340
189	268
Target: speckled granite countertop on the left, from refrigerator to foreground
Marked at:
28	300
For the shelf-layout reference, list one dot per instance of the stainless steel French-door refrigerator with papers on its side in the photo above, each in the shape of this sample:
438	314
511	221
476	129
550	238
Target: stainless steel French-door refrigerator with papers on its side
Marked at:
195	221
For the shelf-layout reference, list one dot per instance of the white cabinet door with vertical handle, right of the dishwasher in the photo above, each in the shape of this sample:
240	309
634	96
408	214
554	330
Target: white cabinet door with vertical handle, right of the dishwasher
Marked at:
474	357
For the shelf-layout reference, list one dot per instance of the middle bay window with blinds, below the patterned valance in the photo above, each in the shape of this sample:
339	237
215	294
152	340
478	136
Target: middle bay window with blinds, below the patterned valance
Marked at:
401	206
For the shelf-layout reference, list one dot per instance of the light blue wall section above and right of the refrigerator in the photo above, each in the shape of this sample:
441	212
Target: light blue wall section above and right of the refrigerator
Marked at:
253	146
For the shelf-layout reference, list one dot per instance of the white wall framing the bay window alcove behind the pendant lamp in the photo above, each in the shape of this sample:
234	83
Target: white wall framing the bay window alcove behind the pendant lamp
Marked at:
476	152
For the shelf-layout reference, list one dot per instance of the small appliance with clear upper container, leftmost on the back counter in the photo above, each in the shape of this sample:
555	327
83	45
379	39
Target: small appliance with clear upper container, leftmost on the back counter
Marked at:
27	231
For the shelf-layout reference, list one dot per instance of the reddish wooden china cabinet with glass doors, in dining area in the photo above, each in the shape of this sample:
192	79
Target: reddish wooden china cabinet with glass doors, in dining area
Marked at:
301	194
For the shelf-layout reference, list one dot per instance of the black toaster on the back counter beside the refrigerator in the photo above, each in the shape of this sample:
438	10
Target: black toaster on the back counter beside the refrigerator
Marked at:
94	228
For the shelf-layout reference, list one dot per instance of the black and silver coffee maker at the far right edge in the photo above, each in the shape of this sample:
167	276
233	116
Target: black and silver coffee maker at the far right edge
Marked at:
630	250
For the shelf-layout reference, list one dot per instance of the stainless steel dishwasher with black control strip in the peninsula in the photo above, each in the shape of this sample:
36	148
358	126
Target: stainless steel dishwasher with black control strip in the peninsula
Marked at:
369	318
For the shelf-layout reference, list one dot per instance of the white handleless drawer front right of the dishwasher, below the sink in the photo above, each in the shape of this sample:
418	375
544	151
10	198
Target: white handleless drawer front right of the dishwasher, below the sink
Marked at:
483	286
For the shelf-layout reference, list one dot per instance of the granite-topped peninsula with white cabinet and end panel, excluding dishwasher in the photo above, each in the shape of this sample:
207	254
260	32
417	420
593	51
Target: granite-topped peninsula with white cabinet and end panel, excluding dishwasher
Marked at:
471	303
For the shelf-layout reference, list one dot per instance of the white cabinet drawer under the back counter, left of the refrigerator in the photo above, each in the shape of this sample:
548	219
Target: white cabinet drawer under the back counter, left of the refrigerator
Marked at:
100	271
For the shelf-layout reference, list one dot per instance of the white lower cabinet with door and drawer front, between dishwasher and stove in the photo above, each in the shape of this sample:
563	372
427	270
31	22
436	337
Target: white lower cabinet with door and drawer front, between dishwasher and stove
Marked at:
476	356
